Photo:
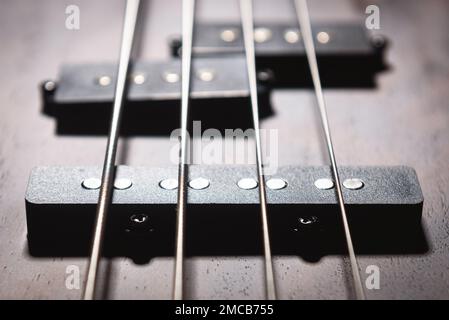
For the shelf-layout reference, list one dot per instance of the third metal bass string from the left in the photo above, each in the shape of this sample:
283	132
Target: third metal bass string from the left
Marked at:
248	35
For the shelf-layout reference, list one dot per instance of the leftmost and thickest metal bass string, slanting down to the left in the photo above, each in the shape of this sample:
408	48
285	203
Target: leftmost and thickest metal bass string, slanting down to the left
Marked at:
108	175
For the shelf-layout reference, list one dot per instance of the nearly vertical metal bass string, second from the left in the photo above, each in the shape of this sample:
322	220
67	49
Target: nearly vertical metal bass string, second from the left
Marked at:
188	14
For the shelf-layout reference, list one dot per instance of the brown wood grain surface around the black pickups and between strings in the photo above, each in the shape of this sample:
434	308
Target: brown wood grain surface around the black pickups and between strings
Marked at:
405	120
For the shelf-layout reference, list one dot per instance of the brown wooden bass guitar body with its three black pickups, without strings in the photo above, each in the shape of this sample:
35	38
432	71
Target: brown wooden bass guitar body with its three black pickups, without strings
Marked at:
387	97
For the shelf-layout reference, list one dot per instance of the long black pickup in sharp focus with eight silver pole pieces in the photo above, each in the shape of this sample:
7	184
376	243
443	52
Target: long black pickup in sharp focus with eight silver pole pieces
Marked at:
222	218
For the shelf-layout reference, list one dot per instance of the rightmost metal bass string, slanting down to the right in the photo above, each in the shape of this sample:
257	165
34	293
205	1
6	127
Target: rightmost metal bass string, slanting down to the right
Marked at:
306	30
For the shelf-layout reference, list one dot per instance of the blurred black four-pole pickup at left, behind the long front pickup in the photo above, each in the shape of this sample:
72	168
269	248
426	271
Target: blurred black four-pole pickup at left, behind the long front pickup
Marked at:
81	100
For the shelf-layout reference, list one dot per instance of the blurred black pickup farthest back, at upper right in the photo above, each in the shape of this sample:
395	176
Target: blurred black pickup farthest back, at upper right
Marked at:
347	56
